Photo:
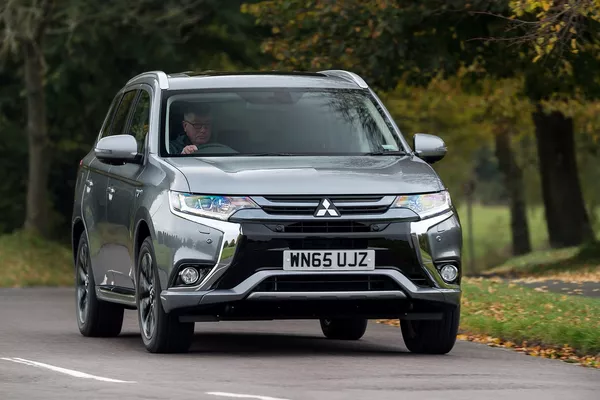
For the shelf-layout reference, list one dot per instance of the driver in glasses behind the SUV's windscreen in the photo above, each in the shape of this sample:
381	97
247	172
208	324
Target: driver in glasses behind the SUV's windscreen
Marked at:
197	127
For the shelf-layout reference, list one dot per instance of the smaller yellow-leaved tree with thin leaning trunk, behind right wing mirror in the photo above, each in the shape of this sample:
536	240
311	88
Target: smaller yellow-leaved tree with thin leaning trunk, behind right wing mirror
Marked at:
493	114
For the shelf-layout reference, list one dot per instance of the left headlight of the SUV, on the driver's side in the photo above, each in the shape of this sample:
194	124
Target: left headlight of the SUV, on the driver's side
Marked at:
219	207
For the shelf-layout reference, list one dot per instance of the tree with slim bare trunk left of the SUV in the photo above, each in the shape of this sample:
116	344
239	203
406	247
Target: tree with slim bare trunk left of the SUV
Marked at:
32	32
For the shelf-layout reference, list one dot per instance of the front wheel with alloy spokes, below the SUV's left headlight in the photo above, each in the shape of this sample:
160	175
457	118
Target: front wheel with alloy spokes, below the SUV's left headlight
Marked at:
161	332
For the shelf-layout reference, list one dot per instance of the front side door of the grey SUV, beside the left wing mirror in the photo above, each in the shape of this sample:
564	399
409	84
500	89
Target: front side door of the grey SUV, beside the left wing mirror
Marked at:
124	188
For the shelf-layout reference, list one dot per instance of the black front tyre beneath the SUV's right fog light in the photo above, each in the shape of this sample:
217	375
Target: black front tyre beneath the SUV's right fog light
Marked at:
432	337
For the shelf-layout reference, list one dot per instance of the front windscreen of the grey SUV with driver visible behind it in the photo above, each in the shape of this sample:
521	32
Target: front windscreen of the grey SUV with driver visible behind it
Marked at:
277	122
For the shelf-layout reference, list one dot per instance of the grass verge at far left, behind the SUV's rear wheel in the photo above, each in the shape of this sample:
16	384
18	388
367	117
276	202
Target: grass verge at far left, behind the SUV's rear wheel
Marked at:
26	260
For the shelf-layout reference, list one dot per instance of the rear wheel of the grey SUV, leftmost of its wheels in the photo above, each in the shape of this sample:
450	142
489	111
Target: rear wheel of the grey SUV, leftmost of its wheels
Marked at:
95	318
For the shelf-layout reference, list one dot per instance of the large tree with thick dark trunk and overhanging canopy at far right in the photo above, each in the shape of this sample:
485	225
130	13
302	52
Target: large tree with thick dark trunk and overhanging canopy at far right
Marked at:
389	40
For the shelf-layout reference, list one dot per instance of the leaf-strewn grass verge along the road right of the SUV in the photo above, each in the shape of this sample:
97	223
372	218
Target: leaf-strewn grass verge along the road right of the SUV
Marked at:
541	324
